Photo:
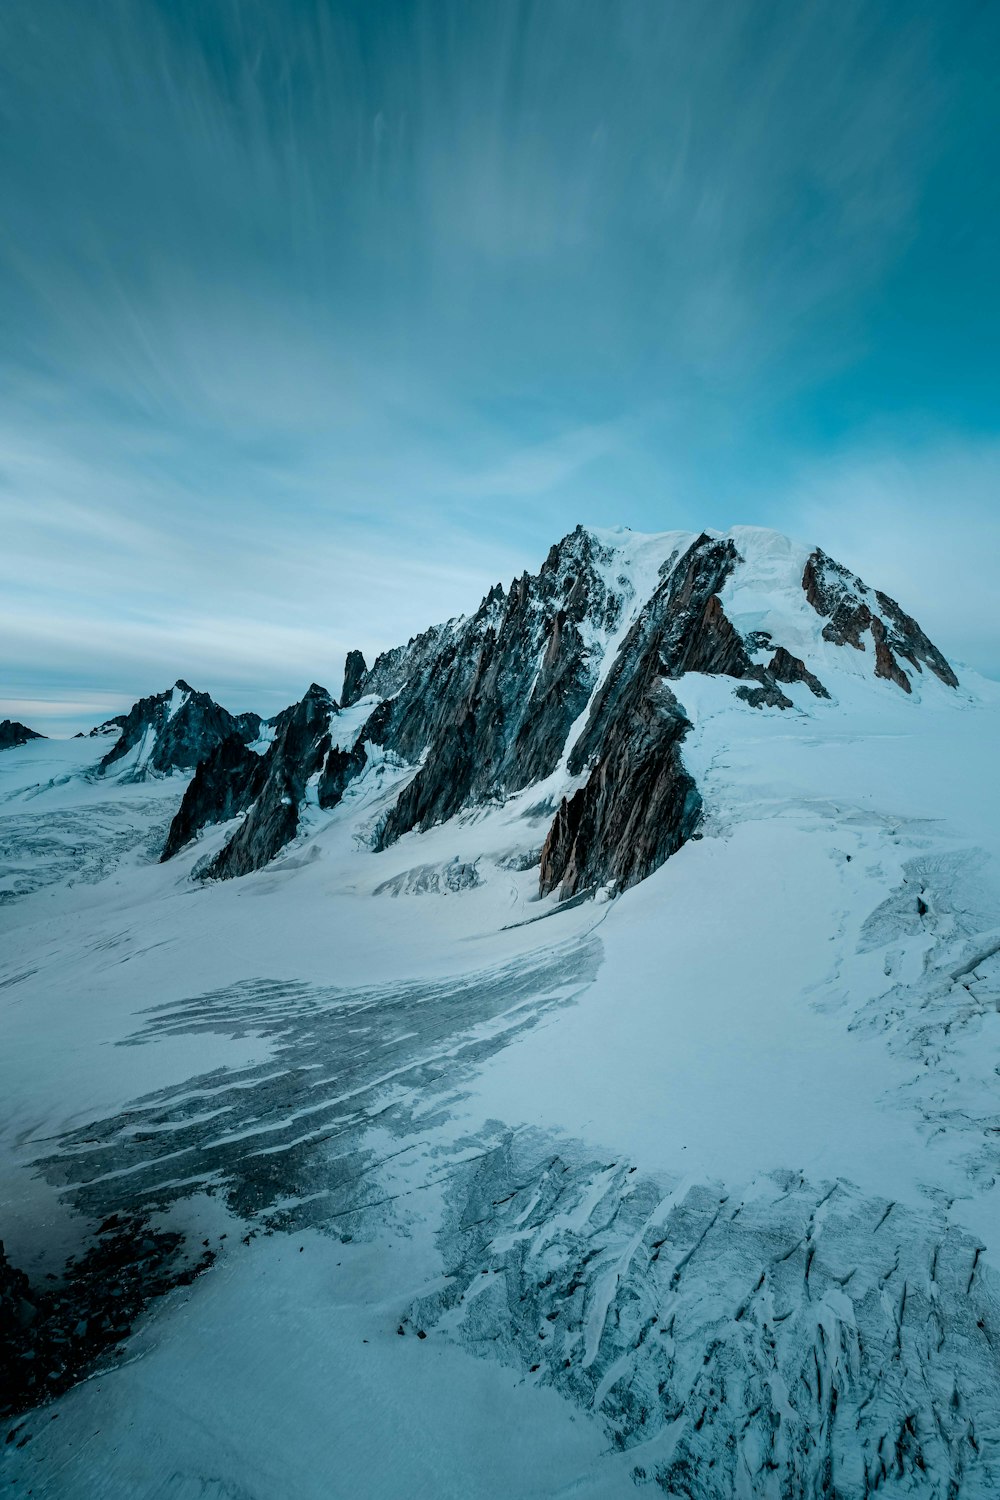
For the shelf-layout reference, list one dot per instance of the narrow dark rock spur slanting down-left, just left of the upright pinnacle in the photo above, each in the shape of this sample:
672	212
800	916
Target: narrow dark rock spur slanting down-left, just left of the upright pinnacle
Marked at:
301	748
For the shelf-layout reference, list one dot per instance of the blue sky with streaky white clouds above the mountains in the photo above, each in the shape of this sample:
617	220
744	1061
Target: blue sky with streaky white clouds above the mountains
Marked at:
319	319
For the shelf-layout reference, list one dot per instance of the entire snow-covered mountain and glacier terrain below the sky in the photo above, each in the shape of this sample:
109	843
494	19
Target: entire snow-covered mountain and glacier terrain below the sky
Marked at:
587	1028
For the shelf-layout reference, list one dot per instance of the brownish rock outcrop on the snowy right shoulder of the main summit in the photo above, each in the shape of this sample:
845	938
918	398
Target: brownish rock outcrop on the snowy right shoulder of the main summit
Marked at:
839	595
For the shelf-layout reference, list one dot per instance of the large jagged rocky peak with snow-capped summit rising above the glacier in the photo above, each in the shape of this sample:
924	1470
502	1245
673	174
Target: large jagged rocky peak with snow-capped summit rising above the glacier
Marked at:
566	679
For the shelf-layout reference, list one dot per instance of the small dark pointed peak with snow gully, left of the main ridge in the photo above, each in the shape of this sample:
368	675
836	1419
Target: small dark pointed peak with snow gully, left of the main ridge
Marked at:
176	731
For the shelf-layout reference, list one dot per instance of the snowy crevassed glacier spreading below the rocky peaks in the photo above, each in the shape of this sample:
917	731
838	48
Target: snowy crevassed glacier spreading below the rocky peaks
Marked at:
695	1187
